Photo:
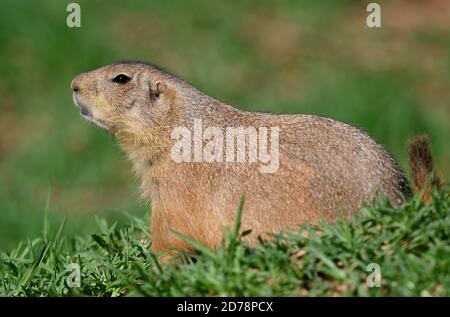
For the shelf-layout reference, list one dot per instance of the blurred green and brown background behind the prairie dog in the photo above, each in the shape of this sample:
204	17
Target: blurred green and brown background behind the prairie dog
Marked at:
316	57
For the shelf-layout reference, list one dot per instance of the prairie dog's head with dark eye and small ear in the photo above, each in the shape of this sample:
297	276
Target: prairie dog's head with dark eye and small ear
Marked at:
125	98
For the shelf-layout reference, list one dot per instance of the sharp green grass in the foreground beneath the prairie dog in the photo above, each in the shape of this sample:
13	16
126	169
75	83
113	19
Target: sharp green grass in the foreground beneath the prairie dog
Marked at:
409	244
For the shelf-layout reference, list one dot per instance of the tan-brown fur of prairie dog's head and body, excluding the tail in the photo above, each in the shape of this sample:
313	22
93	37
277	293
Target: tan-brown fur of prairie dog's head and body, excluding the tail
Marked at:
327	168
